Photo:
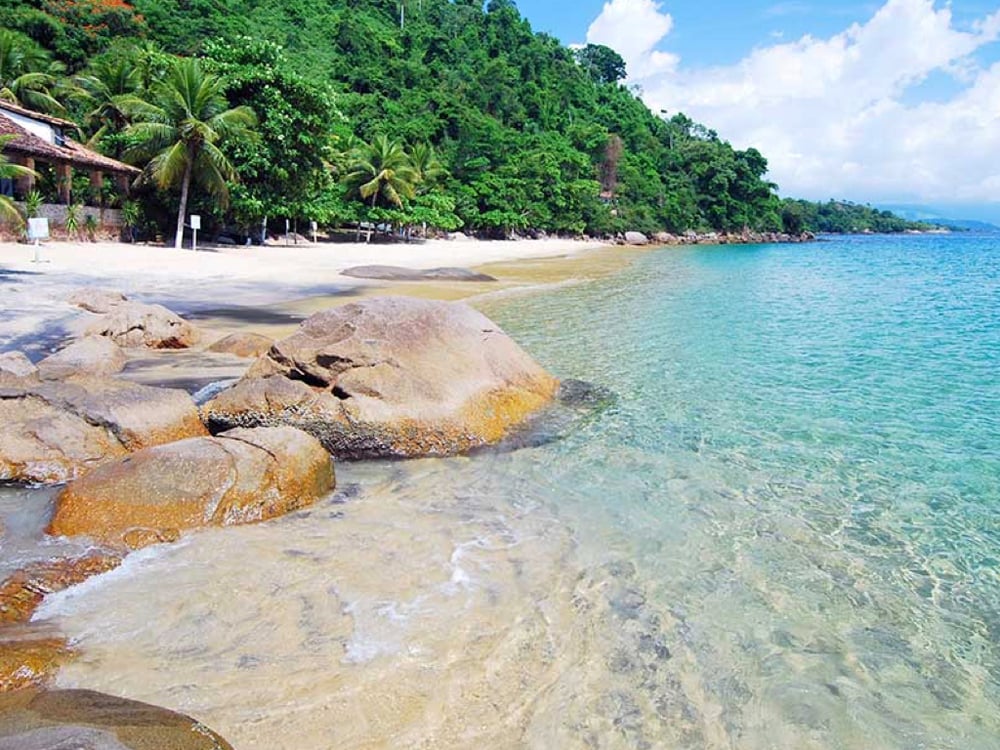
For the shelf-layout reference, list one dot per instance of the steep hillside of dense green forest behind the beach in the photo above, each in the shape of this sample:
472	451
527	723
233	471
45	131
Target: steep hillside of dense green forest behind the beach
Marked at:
459	113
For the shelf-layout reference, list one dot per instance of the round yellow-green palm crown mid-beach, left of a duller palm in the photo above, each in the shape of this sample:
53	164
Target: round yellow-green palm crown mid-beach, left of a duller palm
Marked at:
381	172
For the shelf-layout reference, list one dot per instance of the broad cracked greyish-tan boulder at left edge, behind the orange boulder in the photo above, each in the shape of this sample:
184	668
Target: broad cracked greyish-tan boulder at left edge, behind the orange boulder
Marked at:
55	431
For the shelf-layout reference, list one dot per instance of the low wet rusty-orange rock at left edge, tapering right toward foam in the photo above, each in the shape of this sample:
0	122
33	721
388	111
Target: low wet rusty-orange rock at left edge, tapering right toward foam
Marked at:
23	591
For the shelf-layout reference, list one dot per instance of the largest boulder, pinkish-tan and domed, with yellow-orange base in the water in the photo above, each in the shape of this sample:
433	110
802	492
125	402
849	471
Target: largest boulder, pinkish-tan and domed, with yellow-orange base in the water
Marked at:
391	376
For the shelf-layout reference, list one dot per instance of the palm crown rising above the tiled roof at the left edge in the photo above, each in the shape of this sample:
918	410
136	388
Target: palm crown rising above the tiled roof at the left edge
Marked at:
27	75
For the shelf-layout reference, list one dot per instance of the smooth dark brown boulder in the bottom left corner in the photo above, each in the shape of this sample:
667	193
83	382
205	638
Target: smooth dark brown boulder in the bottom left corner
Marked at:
87	720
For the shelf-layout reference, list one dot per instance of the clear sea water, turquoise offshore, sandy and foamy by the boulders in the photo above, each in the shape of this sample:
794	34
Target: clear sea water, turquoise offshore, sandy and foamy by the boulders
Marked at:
784	534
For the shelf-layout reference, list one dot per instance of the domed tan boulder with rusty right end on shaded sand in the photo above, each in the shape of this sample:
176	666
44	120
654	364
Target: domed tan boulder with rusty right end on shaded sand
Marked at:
134	324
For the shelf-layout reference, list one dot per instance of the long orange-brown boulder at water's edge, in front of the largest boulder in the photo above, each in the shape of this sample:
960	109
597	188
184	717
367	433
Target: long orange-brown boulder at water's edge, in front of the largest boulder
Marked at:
241	476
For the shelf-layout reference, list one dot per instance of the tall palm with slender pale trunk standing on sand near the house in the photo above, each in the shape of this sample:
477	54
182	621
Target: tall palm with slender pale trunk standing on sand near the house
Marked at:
179	132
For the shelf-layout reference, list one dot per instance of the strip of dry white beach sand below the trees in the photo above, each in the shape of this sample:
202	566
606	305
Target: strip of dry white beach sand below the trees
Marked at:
33	295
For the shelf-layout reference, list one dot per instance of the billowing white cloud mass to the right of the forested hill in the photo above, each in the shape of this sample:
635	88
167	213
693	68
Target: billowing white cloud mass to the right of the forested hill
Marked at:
840	116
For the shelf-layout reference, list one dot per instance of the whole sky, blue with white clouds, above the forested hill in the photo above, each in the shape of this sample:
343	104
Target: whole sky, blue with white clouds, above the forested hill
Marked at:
896	100
